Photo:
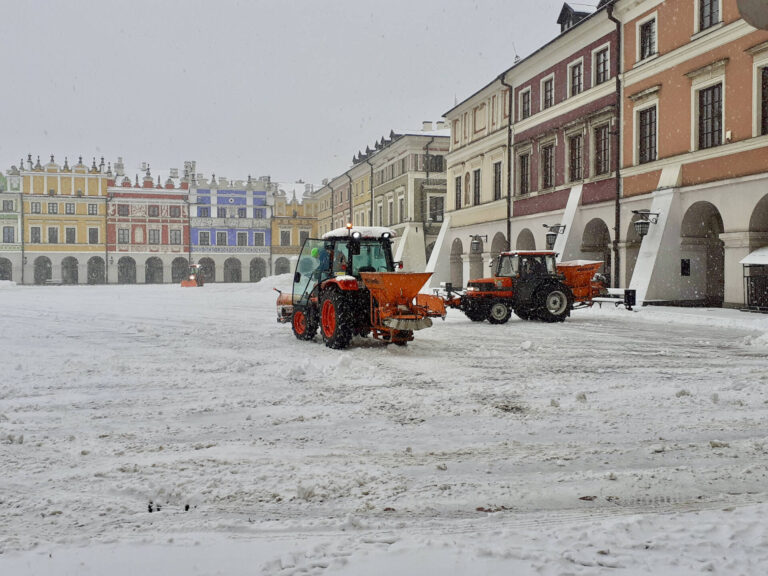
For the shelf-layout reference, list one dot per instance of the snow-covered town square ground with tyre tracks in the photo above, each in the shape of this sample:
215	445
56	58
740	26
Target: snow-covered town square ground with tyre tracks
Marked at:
631	440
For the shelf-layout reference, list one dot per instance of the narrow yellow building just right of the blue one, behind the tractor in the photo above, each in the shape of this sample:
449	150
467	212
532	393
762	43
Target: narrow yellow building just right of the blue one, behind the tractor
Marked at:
292	223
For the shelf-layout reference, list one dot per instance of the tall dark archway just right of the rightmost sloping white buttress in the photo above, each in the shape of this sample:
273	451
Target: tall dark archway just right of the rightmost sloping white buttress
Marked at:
701	245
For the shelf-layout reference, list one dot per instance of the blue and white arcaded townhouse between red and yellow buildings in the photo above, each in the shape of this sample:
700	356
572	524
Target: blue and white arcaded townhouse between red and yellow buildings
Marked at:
230	232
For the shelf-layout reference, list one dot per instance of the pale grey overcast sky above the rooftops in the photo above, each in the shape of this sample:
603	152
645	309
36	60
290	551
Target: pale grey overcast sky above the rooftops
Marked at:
288	88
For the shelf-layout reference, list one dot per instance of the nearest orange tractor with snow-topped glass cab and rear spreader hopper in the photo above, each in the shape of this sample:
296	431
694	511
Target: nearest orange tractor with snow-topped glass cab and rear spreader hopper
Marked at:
345	284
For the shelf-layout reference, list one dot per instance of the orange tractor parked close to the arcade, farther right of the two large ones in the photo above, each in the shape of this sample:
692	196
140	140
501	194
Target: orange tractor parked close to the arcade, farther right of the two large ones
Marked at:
532	285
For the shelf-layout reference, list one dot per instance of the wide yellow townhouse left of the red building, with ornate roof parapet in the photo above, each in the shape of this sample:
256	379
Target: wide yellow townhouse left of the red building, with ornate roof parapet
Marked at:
64	220
